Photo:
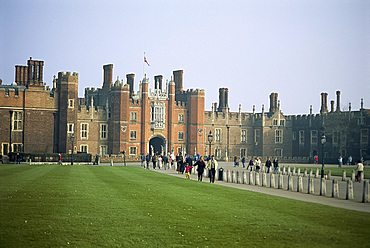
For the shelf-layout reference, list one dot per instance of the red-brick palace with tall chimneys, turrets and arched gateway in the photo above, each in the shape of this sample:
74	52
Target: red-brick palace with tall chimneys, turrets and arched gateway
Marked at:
109	120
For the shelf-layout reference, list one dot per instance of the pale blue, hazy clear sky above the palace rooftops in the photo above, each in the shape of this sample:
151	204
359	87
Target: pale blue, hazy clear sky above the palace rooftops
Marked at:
296	48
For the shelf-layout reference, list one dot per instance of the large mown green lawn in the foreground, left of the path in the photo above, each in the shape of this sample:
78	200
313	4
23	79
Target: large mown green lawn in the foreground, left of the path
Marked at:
91	206
